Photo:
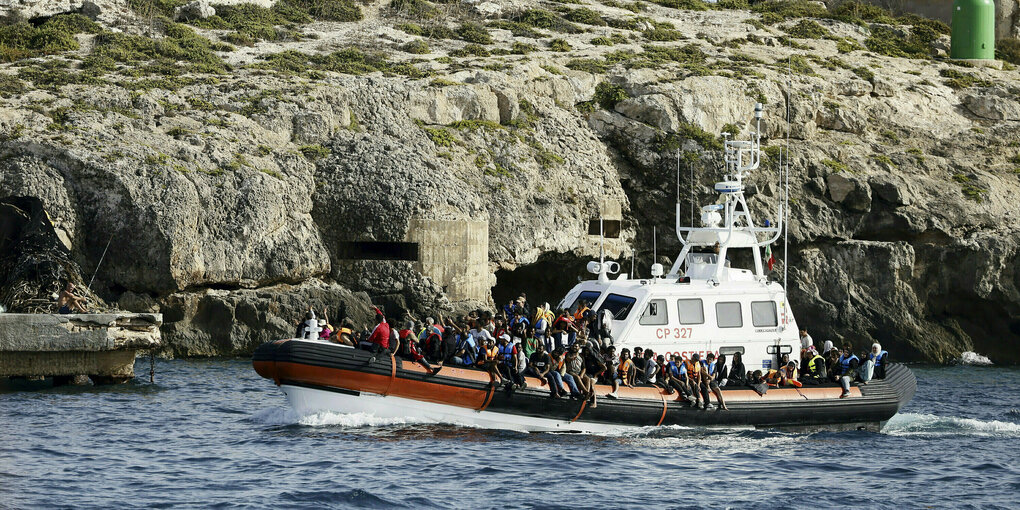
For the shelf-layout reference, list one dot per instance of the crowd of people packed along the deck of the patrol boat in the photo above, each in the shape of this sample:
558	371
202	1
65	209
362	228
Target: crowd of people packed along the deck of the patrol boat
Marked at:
571	351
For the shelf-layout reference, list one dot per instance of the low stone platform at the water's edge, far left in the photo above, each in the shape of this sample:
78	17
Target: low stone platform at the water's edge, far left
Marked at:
70	348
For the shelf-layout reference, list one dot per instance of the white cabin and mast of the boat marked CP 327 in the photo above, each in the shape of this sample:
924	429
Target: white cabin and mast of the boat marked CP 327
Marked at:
703	304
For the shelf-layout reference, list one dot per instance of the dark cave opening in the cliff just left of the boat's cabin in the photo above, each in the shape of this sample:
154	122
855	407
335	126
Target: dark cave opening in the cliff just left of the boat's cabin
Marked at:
545	281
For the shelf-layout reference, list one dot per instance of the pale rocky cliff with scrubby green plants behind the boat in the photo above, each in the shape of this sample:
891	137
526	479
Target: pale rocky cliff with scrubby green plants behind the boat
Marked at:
252	161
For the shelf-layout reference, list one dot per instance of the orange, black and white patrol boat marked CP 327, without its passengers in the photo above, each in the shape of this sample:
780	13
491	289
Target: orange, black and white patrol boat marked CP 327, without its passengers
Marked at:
702	305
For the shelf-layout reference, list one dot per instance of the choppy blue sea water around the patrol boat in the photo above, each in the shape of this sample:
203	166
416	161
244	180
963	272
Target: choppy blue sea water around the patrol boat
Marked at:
215	435
